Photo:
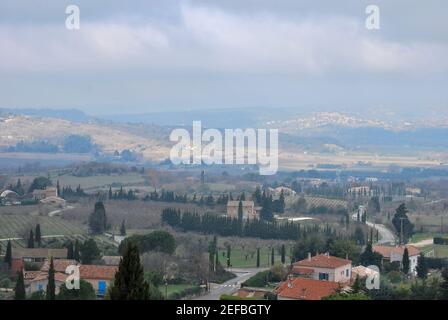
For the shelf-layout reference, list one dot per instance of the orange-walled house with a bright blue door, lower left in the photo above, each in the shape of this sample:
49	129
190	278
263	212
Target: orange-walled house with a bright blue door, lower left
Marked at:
98	276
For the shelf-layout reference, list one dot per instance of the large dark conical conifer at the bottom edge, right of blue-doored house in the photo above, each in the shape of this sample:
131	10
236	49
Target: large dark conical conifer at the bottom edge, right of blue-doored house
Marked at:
129	283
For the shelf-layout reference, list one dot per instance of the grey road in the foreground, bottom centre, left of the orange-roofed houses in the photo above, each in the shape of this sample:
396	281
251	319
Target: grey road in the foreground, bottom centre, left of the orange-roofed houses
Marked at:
231	286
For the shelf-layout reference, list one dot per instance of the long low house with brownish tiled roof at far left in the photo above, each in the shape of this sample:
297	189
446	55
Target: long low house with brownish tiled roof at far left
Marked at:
20	256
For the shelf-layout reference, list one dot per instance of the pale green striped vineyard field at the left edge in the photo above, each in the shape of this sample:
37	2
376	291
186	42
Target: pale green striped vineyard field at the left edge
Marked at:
18	226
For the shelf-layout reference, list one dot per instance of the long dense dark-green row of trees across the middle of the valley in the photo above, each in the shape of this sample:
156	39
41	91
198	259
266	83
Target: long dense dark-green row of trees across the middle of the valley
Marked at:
227	226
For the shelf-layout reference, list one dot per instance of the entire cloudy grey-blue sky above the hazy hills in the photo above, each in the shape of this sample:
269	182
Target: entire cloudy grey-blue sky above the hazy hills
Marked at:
151	56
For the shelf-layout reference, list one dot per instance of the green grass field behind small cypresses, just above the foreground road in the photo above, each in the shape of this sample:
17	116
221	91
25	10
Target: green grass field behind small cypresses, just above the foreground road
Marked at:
238	258
